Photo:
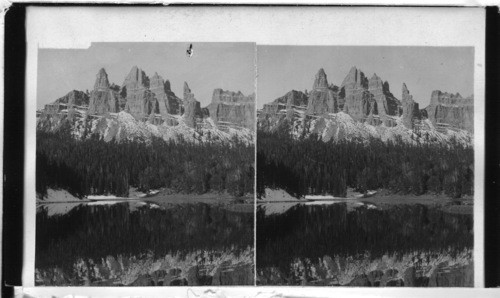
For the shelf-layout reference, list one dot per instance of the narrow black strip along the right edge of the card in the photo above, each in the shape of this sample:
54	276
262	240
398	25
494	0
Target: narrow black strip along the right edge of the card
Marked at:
492	150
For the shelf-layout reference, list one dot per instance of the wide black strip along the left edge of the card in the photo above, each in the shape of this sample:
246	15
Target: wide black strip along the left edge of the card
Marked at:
13	145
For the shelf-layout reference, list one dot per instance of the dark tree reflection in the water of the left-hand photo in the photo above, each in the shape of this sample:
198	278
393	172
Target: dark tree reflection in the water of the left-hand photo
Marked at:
98	231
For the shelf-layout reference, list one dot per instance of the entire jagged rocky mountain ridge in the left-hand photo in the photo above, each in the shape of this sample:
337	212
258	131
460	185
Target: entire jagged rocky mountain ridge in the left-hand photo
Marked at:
148	99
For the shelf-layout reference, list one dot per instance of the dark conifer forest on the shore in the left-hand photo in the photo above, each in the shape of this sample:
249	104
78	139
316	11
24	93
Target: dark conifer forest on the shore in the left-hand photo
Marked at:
93	166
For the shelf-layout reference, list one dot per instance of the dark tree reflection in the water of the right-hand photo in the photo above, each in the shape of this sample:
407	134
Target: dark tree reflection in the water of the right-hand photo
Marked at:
315	231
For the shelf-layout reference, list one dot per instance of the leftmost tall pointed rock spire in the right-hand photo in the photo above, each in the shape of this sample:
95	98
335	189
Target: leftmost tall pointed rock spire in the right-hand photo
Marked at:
322	99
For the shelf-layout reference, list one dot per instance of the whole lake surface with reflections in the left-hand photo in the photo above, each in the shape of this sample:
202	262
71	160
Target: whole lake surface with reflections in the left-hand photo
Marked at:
143	244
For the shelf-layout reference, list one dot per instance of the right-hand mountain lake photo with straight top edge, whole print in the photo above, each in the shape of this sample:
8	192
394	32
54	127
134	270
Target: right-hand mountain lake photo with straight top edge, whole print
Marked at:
365	166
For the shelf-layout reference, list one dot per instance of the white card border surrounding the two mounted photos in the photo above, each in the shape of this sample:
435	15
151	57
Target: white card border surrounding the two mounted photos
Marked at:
416	26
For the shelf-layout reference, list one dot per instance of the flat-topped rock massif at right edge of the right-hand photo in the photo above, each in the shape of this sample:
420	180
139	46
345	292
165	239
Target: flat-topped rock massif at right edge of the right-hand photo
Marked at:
451	110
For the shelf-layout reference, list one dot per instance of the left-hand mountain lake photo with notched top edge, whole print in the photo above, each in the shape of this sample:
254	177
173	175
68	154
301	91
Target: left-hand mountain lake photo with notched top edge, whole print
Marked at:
145	163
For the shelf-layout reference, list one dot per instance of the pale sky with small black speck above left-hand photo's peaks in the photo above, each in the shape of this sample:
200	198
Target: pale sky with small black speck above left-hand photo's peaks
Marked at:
229	66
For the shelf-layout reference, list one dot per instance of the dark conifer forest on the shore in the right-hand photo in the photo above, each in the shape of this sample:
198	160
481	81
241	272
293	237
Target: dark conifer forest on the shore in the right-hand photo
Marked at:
311	166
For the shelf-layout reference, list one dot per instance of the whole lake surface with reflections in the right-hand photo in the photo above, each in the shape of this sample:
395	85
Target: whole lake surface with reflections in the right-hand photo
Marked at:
342	245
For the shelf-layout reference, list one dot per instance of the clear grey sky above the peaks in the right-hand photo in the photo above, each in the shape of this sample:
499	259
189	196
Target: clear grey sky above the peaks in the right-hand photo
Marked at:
423	69
